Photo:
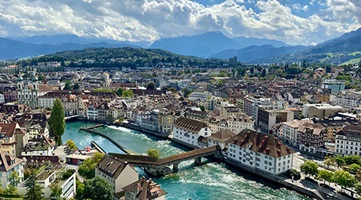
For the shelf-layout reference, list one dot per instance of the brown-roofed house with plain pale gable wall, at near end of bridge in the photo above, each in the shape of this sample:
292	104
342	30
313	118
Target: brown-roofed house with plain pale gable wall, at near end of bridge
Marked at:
116	172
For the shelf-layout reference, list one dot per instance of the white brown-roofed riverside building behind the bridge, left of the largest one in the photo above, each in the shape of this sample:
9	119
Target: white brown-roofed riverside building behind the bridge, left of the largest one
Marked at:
187	131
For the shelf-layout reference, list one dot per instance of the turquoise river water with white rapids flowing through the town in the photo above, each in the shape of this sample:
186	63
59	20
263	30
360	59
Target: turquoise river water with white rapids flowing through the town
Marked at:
209	181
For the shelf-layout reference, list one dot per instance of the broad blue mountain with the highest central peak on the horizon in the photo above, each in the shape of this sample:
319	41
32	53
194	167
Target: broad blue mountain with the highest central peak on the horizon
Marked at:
201	45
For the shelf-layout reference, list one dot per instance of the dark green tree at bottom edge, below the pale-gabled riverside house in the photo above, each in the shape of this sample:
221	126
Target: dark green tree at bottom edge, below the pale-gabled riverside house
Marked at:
97	188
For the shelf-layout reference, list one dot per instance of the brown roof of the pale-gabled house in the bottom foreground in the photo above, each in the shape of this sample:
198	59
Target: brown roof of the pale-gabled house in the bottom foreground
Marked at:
111	166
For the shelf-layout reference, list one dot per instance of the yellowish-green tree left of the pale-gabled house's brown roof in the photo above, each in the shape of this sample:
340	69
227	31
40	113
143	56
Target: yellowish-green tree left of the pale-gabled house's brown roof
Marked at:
87	168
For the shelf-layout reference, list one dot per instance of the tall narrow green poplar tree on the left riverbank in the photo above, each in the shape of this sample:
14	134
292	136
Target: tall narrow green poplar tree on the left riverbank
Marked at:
57	121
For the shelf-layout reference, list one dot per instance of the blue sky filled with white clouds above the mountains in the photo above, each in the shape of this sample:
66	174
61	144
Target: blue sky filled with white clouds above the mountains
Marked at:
291	21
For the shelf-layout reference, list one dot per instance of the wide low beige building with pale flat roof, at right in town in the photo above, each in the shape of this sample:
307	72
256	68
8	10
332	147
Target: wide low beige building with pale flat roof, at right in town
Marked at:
320	110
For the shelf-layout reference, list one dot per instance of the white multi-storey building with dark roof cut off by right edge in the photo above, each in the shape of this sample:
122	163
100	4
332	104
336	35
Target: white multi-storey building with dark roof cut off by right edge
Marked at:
348	140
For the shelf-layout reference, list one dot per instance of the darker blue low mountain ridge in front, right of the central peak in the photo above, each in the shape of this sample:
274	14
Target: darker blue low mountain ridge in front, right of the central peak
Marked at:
251	53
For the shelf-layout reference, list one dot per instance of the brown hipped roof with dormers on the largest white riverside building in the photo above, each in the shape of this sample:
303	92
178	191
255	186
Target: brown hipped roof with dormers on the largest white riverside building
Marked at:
260	142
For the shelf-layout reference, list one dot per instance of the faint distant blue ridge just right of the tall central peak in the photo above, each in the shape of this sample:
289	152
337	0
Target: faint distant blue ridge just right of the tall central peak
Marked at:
246	42
